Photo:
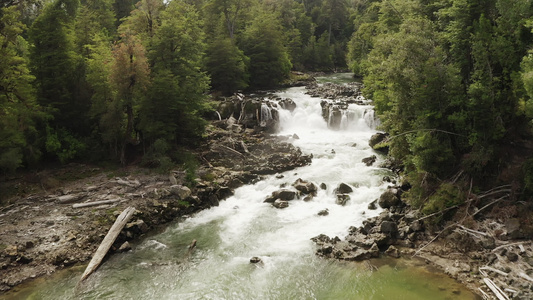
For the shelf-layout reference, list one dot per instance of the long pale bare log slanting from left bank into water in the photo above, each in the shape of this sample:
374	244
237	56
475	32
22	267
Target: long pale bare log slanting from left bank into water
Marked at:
108	241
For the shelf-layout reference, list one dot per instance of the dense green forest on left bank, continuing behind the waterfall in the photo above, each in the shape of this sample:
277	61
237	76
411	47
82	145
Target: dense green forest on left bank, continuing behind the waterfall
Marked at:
89	79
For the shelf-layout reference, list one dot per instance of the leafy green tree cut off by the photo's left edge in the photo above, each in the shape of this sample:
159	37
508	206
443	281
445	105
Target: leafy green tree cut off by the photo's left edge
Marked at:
18	108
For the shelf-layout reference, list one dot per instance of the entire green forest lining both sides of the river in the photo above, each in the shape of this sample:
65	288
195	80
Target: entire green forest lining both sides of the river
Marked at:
452	80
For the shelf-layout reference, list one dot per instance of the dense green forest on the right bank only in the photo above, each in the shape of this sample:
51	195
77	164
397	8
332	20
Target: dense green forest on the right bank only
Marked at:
452	83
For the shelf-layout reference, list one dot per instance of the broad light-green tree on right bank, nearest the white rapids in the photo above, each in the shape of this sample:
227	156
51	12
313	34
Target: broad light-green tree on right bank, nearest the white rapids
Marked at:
414	92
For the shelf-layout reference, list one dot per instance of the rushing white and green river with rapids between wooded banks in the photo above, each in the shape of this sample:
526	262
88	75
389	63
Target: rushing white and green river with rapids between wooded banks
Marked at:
242	227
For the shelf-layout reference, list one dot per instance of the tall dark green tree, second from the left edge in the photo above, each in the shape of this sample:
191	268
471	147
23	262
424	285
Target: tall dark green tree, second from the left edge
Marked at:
54	62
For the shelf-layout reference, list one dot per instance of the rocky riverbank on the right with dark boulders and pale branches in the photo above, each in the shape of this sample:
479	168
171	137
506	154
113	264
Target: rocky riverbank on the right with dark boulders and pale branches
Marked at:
476	247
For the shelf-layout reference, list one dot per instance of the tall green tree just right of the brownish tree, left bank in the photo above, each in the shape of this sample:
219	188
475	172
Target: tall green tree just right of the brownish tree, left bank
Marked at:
177	95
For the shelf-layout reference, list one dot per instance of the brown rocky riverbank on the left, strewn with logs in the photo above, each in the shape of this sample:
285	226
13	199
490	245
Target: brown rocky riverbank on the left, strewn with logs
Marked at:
57	227
